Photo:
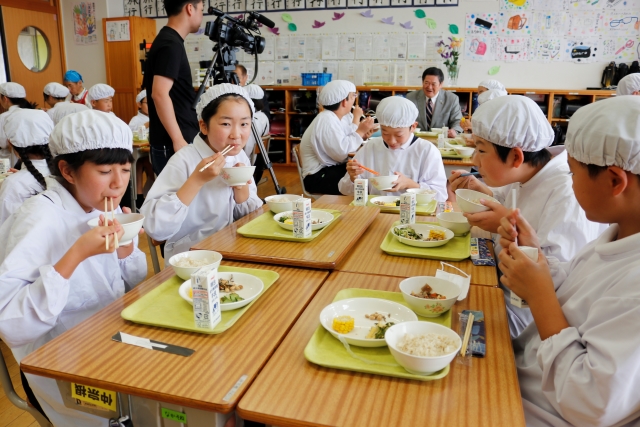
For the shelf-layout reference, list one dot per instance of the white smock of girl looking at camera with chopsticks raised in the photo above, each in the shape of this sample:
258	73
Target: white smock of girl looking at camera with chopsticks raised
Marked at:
182	226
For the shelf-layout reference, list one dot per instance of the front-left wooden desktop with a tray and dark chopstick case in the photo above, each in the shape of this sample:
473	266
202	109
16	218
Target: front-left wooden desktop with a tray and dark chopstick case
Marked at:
87	355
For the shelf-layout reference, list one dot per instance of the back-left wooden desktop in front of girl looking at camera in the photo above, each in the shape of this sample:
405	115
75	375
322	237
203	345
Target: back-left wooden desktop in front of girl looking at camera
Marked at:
324	252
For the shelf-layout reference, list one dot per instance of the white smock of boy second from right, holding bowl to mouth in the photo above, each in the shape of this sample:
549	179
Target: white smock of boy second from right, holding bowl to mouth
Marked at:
548	203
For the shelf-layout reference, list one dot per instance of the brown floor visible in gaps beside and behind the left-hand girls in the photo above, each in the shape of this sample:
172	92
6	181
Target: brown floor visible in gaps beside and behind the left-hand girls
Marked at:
11	416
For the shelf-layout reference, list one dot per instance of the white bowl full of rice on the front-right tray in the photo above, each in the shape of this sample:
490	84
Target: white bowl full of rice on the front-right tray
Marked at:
422	348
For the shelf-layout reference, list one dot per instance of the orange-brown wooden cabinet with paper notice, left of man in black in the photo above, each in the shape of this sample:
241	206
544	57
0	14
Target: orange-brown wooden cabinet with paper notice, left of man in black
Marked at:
122	61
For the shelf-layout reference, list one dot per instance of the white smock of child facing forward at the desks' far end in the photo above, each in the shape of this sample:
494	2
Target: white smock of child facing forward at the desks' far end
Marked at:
420	161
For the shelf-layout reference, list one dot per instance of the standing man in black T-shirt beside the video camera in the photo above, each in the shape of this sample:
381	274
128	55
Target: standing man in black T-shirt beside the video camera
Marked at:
172	120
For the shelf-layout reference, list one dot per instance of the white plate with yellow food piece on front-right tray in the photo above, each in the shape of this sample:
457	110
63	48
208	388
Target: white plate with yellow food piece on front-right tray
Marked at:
357	308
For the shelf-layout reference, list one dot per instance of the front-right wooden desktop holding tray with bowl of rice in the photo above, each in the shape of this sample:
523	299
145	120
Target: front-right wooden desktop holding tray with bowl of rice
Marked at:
290	391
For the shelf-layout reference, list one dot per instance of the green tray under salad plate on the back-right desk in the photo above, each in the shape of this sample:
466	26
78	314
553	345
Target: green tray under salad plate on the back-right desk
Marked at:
456	249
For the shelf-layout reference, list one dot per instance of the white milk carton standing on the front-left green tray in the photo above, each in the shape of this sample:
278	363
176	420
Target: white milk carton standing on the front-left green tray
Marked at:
206	298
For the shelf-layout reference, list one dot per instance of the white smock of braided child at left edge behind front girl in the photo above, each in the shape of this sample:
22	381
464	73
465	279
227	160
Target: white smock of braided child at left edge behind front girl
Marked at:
17	188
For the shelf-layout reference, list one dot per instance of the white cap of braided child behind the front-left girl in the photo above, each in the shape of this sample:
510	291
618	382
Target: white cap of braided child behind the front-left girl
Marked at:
25	127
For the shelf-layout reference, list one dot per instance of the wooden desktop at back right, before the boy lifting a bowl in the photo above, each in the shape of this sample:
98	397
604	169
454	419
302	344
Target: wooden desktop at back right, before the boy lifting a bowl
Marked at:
366	256
